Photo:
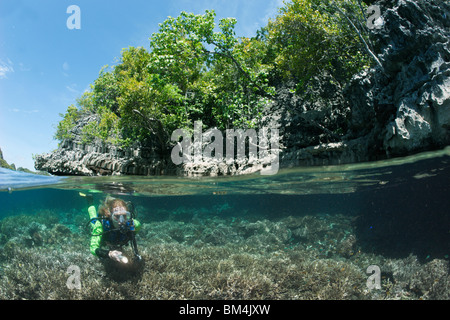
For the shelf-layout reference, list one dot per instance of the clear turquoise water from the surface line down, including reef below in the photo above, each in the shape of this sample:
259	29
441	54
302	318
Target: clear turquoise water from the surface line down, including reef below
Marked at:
305	233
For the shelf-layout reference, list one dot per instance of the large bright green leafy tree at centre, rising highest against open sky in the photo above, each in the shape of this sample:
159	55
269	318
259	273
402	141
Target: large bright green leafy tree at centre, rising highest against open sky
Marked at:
212	70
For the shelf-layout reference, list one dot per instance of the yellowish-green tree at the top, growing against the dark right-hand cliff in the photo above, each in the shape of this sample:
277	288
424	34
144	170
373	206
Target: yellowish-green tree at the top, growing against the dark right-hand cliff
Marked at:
315	37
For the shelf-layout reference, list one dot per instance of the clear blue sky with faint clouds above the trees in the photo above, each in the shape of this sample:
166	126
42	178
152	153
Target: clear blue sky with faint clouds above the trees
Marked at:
45	66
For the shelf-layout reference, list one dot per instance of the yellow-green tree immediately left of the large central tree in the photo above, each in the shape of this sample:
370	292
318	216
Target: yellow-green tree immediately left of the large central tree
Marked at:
148	104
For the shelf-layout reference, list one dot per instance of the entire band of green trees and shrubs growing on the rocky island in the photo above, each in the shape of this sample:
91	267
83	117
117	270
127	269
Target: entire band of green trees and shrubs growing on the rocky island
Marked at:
196	69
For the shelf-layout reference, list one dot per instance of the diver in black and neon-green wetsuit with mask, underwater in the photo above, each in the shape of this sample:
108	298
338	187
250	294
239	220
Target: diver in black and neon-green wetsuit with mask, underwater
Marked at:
114	227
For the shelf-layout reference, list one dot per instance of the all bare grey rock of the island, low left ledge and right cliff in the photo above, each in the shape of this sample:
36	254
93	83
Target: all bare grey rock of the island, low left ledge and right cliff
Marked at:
397	109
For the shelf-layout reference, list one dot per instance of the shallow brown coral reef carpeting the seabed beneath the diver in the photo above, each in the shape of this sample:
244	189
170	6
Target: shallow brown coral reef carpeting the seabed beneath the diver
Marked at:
209	256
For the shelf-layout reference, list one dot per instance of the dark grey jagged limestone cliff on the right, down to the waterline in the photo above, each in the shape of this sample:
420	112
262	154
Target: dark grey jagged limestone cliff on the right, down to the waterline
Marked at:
396	110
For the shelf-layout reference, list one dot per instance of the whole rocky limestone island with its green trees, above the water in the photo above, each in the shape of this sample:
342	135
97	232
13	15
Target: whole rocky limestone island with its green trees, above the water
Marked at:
341	81
